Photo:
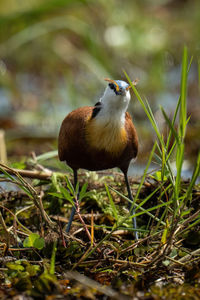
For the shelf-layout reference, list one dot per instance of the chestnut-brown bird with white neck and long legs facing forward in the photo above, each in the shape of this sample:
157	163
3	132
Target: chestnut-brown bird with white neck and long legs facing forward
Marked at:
101	137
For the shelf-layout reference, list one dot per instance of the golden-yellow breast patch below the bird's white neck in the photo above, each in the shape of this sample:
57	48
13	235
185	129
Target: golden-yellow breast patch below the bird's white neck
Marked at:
109	136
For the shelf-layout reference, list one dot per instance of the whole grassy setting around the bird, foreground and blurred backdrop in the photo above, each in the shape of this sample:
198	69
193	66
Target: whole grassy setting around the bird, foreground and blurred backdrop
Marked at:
53	57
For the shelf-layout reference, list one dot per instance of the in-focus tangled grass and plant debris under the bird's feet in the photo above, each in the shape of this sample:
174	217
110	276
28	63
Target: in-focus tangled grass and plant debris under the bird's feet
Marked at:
100	256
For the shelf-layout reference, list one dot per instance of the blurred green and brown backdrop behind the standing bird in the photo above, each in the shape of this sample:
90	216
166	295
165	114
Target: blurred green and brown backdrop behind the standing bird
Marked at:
55	54
